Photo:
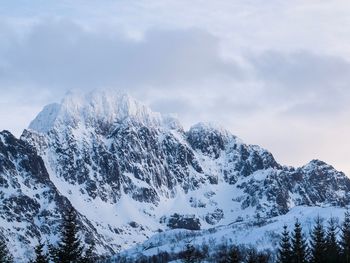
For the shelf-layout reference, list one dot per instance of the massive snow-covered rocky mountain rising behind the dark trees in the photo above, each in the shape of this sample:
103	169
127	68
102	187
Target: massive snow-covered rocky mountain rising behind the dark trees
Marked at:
130	172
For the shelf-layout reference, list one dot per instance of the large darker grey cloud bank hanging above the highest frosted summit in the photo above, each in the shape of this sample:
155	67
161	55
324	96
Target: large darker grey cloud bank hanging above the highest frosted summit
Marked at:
63	55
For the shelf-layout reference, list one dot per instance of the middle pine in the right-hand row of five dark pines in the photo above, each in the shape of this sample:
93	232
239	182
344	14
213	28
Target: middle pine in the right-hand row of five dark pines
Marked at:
318	242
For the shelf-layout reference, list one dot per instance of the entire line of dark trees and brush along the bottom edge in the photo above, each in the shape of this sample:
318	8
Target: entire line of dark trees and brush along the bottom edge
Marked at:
327	244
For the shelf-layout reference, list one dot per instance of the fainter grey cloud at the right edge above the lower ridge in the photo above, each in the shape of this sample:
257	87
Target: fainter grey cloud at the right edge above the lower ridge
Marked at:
308	84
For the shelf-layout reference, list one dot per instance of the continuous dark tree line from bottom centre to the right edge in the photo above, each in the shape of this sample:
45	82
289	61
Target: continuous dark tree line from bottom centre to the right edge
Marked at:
326	244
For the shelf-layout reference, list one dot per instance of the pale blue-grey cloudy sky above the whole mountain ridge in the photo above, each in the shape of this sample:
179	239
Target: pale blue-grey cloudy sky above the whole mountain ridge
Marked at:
275	73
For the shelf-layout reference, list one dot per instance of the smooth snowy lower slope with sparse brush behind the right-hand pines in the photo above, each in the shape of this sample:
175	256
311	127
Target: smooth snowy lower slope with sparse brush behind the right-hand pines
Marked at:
249	233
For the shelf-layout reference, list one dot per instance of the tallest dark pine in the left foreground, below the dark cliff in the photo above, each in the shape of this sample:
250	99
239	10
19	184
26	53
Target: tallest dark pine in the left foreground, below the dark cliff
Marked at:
69	249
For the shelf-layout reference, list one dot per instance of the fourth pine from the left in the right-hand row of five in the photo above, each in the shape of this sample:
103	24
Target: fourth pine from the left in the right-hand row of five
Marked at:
332	247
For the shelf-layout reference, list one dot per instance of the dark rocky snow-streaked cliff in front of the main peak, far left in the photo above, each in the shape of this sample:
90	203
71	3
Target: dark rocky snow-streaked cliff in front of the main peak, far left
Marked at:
31	206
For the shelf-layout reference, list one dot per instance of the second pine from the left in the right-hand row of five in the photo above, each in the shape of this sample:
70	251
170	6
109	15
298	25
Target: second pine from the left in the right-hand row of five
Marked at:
299	246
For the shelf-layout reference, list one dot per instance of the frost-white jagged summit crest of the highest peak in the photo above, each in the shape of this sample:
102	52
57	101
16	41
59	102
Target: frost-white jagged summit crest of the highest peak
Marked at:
99	108
